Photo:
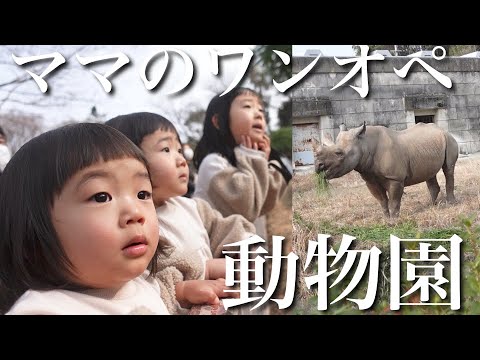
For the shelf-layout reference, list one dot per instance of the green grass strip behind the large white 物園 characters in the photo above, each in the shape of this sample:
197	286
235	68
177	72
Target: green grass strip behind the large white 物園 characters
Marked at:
470	303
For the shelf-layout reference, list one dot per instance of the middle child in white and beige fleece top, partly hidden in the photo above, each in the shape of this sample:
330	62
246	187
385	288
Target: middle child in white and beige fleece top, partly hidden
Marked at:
192	226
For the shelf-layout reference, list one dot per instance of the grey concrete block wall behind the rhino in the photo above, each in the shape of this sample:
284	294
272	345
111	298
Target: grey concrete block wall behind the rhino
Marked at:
392	101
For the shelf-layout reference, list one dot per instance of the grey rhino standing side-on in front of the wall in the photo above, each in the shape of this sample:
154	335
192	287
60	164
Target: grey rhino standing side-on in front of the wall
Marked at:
389	160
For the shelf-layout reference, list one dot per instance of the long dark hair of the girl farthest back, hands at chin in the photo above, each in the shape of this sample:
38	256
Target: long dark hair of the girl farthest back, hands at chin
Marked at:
221	140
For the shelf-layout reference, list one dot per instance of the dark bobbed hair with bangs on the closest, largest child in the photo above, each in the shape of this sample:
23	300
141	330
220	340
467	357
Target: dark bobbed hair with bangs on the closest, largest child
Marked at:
31	255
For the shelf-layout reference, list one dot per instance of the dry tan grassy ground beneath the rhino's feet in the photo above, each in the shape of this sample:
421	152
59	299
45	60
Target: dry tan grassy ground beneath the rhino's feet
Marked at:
349	203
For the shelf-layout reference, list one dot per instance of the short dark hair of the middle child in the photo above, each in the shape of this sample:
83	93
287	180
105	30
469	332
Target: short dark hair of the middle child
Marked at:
138	125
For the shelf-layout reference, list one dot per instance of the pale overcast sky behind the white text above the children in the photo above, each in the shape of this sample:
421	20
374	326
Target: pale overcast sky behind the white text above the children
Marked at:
129	93
